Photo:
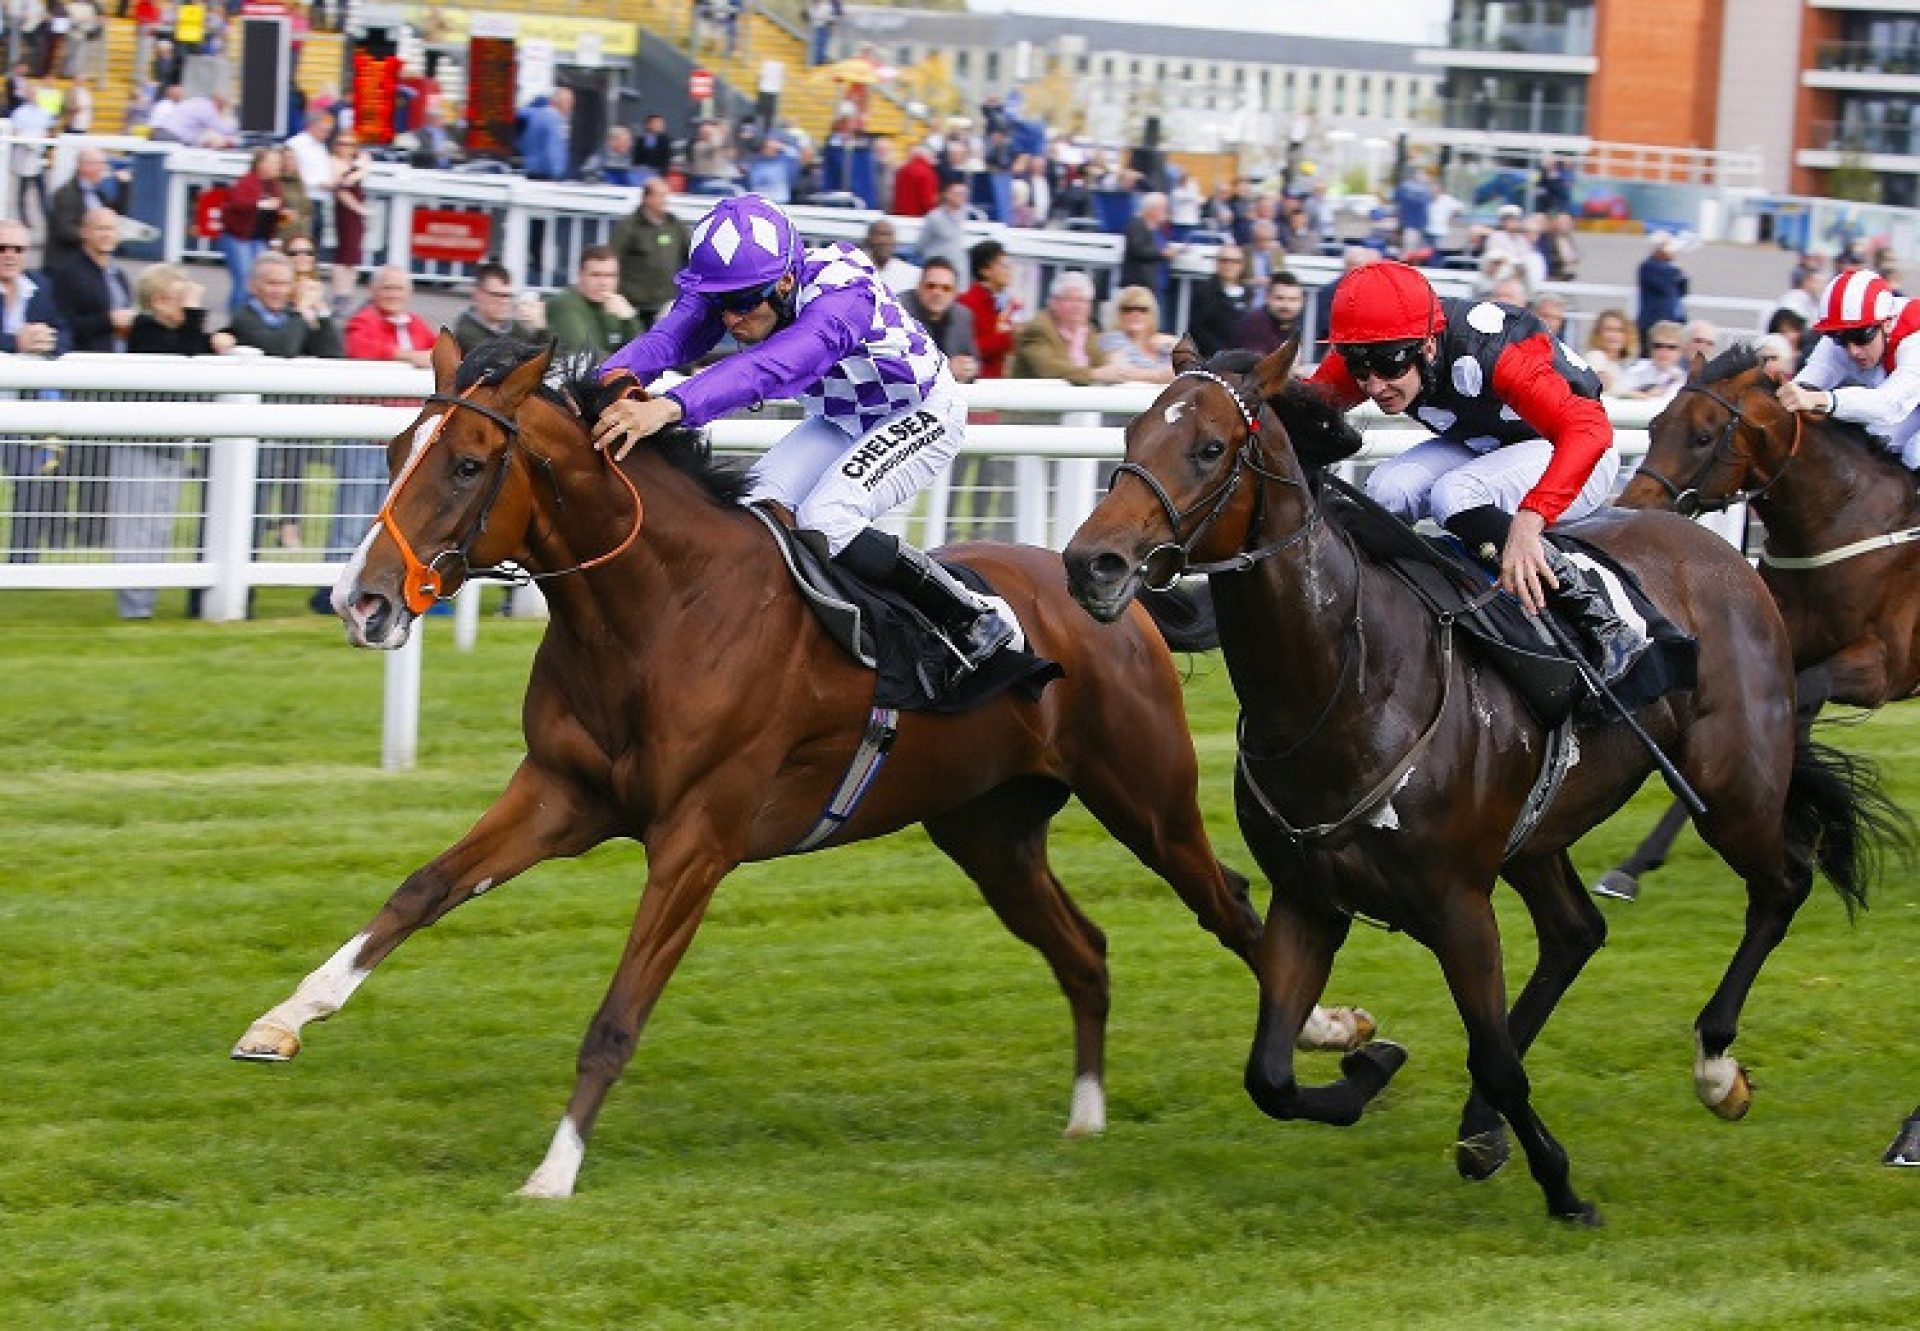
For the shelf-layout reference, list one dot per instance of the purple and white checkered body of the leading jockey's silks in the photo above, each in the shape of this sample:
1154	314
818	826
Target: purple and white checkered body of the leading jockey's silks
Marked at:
898	362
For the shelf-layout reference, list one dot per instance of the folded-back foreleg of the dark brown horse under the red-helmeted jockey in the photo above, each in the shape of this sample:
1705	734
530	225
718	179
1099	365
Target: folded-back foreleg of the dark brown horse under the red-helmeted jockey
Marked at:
1295	959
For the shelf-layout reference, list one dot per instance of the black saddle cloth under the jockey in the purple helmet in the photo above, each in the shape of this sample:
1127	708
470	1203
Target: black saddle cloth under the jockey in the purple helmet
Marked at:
886	635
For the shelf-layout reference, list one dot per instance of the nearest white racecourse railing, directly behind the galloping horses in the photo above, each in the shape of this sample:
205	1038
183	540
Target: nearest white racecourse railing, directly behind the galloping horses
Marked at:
233	473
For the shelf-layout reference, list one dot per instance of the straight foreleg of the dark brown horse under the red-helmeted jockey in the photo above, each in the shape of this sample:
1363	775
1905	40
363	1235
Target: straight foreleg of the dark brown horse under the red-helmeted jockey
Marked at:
1468	946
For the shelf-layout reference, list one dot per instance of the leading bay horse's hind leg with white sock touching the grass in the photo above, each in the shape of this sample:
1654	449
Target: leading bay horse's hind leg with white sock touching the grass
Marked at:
1001	844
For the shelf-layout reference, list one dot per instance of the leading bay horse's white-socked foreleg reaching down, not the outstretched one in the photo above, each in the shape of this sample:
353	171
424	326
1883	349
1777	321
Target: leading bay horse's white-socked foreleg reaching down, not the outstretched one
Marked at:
683	873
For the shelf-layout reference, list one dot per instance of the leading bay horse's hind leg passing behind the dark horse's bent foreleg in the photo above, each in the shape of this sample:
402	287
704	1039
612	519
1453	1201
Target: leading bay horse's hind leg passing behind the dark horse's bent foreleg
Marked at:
1155	813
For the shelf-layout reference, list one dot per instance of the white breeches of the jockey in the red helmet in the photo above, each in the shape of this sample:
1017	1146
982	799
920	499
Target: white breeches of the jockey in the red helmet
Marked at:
1439	479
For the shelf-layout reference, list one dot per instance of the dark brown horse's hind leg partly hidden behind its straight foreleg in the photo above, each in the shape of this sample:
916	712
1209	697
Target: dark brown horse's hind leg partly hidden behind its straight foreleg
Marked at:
1570	931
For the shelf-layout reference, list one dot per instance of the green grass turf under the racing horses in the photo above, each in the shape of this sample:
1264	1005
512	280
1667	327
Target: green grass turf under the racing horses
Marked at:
848	1109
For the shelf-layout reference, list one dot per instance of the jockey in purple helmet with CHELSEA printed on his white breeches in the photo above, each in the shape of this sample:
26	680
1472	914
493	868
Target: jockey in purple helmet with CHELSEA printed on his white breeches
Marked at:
882	412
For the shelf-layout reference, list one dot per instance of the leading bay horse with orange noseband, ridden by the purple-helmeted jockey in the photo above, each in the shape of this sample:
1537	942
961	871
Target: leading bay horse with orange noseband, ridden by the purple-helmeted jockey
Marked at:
686	698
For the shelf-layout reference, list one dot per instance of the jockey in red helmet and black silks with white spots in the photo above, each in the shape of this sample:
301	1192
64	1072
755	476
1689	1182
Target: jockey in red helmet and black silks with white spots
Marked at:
1522	439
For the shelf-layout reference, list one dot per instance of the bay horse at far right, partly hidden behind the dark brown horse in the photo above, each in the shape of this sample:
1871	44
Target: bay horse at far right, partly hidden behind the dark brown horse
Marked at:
1842	539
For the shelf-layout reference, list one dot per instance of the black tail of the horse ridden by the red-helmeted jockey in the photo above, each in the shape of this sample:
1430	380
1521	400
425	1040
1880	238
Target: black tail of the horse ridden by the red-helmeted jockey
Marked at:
1838	810
